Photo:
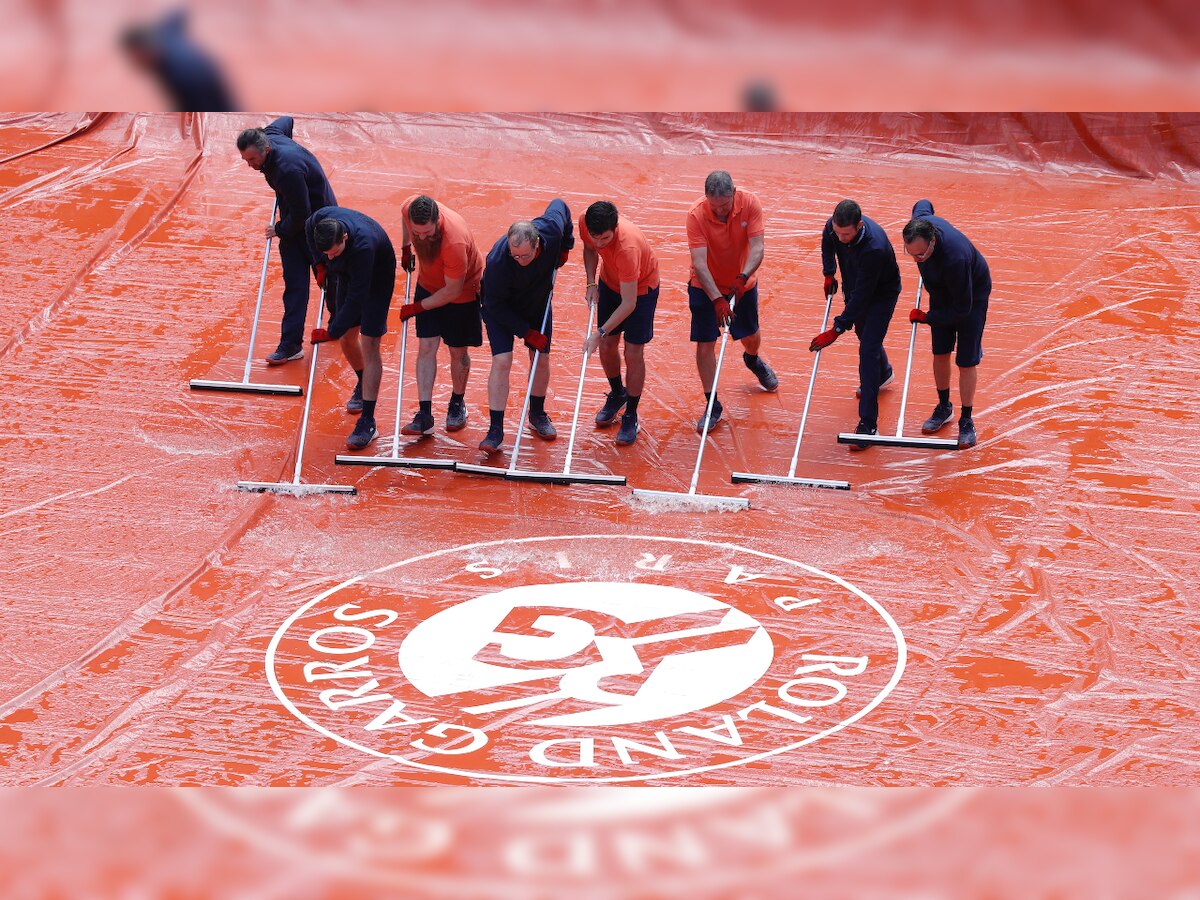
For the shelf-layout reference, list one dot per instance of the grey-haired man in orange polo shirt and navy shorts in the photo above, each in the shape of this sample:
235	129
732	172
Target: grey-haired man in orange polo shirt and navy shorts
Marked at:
725	236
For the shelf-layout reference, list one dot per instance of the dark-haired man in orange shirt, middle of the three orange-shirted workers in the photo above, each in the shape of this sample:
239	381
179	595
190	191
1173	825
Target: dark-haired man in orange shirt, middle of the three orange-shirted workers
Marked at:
627	295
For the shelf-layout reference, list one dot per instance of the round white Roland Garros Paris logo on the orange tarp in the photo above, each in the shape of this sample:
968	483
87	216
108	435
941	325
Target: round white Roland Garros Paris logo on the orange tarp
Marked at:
589	659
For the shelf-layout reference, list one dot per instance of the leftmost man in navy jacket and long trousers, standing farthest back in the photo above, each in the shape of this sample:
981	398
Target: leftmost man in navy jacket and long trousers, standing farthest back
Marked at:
301	189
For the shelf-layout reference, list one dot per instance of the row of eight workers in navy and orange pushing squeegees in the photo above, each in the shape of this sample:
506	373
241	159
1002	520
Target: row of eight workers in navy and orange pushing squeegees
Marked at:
460	293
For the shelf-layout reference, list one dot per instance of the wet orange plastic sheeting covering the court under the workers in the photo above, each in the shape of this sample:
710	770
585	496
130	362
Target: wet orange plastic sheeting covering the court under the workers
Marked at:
1027	608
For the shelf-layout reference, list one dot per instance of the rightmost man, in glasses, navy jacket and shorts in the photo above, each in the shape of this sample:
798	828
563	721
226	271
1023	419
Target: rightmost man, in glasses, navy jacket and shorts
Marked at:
959	285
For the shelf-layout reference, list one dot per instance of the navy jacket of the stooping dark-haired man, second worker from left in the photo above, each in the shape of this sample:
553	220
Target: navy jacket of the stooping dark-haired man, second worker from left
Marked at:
353	269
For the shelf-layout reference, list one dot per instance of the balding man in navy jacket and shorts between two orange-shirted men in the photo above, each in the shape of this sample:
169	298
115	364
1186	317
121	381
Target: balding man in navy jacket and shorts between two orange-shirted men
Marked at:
519	277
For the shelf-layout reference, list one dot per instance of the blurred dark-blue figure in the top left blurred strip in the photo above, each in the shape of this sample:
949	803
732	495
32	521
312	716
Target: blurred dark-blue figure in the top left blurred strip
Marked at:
189	76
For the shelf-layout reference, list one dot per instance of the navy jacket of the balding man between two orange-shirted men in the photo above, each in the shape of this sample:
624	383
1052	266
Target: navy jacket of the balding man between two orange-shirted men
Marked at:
514	295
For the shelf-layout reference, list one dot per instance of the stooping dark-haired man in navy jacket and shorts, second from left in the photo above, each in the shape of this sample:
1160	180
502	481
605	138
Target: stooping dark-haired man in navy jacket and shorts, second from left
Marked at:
362	279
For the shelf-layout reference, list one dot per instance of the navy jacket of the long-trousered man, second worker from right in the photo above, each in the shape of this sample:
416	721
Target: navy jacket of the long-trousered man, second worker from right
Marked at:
869	271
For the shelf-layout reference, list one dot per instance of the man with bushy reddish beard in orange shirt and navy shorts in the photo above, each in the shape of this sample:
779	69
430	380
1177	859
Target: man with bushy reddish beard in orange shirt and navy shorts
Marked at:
446	304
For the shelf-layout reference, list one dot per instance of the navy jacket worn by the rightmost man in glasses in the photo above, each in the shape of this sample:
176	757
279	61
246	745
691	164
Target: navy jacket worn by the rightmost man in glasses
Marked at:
957	277
